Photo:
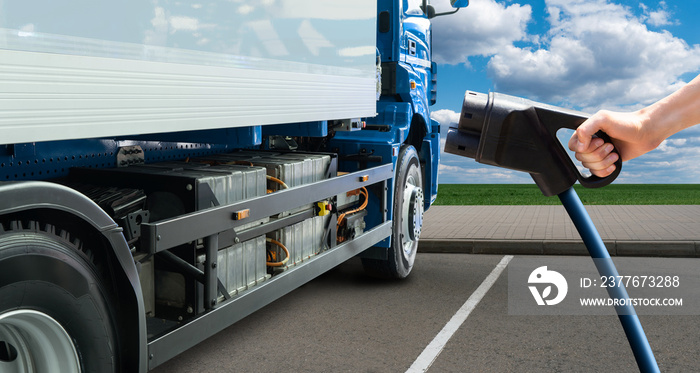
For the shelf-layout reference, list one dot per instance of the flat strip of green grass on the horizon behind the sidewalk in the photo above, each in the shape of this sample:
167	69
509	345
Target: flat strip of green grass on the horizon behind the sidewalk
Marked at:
529	194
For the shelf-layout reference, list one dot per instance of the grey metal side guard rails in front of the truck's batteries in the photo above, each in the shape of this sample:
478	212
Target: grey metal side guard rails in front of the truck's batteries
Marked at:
215	222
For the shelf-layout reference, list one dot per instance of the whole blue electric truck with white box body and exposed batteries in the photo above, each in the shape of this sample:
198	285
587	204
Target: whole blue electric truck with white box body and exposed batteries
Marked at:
167	168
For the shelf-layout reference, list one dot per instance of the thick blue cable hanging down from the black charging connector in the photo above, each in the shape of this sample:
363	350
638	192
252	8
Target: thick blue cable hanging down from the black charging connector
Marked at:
596	248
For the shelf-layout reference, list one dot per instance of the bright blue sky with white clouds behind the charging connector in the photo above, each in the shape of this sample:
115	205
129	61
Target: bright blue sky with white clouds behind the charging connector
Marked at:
582	54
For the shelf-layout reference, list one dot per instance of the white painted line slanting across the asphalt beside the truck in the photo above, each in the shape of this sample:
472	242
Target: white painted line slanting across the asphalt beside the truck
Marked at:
434	348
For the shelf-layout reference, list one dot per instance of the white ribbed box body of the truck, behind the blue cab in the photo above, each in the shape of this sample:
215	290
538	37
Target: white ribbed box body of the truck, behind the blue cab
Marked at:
89	69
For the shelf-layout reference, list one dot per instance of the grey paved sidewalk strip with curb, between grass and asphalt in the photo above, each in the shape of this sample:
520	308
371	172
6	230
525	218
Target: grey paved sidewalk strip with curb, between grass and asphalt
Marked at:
648	230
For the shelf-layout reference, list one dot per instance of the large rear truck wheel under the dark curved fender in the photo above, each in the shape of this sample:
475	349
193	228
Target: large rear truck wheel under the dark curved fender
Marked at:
54	313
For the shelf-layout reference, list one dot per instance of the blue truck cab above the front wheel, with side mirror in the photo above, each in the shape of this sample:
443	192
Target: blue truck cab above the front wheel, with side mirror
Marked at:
408	89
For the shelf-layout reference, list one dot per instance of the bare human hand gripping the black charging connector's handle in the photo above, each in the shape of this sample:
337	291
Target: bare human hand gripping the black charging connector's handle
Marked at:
631	138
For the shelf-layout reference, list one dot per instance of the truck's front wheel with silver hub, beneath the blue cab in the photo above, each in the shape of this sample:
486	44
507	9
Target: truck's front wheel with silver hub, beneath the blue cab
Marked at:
407	221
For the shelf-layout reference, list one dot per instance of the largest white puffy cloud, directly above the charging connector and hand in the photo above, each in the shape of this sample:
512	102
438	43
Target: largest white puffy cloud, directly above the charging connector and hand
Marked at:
595	54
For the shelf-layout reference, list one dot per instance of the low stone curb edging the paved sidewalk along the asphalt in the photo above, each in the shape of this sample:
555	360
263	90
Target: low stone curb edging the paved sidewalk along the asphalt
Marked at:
676	249
